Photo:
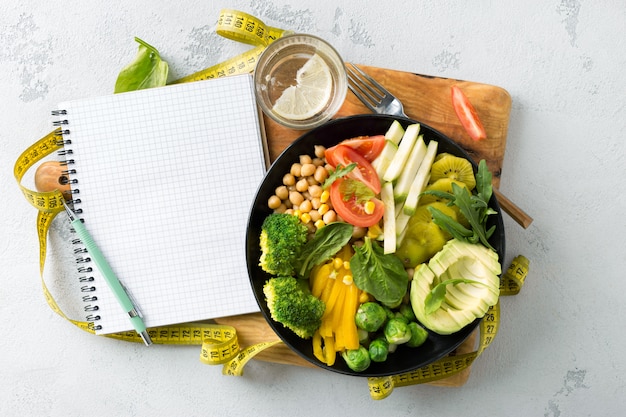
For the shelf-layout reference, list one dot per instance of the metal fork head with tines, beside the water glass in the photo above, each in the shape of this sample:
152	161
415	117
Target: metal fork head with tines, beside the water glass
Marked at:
371	93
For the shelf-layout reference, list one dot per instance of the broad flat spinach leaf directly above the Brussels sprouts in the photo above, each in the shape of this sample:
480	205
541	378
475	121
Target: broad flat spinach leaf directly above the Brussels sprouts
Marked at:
381	275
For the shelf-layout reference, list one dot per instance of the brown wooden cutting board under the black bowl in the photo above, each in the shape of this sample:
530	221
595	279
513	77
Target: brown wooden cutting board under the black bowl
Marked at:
428	100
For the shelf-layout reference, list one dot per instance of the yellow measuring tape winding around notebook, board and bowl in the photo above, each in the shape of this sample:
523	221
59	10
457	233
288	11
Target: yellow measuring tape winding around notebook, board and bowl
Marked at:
219	342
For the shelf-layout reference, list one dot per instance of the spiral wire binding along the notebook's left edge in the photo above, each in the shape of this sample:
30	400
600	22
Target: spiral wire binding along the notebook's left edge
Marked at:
82	256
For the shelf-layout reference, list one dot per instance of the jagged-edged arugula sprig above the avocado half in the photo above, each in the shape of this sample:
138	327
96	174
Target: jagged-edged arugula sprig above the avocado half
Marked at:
475	208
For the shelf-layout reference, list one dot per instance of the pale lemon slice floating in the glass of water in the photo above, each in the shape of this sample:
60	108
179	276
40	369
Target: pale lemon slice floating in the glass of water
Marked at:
311	93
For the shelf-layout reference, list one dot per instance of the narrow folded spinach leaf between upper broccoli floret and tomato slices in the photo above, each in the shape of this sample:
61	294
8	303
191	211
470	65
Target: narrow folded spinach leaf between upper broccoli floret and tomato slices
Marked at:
327	242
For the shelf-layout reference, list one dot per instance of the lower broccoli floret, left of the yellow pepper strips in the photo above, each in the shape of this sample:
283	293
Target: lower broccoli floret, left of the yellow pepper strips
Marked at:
291	303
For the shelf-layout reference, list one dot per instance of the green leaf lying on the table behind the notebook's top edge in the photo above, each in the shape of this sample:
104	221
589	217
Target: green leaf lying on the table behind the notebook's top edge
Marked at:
146	71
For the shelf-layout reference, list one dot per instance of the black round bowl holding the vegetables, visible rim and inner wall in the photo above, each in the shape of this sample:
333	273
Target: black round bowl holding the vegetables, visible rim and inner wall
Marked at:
405	359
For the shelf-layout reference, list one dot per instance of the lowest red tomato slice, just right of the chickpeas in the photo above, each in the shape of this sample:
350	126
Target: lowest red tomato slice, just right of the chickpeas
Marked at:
353	211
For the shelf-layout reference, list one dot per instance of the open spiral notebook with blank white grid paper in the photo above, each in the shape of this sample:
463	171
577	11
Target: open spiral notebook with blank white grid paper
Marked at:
164	179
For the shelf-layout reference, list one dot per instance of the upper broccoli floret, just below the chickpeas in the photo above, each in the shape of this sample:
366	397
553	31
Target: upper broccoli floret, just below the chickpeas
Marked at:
282	237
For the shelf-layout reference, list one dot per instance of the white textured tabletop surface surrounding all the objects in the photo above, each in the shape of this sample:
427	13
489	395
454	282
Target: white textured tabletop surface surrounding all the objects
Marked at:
560	348
